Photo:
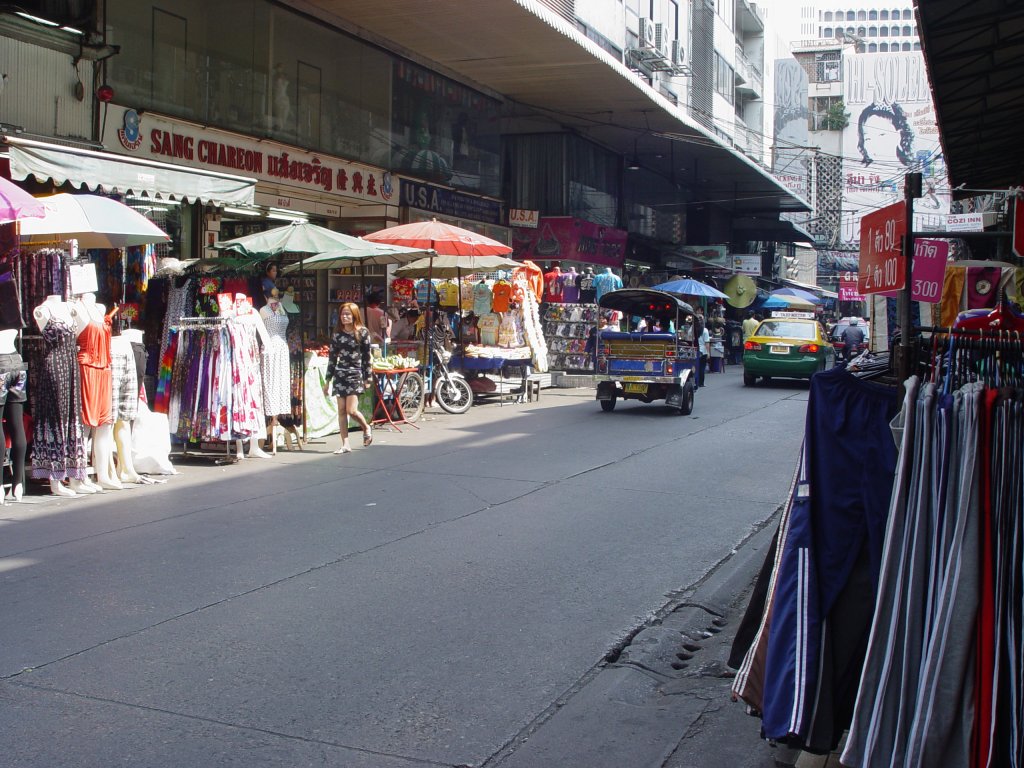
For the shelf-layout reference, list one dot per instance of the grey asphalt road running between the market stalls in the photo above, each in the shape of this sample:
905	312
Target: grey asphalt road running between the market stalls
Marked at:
433	601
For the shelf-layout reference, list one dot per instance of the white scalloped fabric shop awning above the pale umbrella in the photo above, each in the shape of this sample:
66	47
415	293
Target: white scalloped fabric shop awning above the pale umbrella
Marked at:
101	172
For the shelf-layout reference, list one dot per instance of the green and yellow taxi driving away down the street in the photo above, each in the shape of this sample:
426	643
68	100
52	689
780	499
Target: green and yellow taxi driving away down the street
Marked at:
788	349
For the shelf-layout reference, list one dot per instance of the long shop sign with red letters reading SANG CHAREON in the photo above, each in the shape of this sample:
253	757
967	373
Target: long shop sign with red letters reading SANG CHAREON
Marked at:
169	141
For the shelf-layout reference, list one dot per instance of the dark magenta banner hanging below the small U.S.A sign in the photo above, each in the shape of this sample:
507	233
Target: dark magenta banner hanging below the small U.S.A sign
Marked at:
568	239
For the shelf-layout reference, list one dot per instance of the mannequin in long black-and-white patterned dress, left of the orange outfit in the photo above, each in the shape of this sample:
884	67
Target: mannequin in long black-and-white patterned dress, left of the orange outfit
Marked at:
59	440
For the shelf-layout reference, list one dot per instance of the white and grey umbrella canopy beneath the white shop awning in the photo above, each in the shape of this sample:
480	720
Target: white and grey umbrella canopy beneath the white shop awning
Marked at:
93	221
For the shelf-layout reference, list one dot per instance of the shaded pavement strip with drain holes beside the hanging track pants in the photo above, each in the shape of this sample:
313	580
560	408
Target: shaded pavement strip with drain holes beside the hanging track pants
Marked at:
664	701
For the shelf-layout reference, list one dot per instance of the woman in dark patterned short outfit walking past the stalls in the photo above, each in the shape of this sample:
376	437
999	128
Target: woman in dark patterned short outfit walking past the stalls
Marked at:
349	372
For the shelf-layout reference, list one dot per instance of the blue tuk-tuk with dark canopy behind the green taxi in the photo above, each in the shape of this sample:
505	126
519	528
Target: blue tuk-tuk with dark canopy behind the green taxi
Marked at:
648	366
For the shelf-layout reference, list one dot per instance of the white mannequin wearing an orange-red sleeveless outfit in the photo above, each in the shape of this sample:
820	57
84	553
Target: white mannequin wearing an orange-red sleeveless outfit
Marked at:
94	328
